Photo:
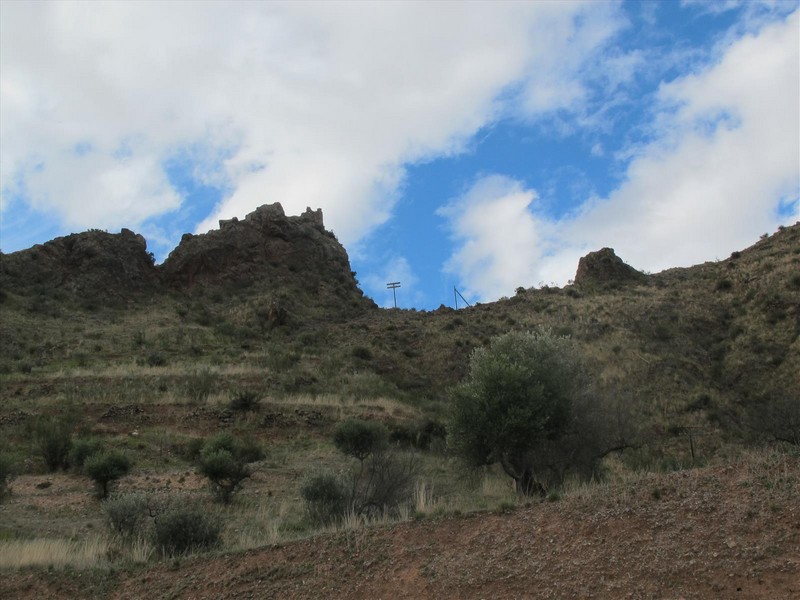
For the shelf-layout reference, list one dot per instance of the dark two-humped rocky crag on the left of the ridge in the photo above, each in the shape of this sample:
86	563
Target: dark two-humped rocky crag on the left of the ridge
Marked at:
293	259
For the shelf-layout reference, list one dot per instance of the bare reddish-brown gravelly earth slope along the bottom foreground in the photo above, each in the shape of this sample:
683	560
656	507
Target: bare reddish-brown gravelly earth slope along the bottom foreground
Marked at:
717	532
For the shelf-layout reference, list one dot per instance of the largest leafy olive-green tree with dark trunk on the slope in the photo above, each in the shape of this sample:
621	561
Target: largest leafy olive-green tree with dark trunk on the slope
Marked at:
517	397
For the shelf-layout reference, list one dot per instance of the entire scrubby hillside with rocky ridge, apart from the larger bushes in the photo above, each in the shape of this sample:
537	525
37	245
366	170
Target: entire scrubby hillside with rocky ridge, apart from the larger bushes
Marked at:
694	371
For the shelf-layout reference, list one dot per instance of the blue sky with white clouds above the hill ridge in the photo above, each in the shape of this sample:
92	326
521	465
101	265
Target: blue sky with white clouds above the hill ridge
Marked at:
469	145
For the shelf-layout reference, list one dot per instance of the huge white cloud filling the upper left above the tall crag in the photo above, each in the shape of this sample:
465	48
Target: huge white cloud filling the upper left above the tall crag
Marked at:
318	104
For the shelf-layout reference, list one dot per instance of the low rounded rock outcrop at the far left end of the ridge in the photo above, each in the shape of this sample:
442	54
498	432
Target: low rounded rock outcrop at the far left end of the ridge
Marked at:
94	266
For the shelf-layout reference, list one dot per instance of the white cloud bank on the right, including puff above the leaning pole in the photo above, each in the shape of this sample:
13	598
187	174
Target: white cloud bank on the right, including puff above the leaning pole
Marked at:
725	160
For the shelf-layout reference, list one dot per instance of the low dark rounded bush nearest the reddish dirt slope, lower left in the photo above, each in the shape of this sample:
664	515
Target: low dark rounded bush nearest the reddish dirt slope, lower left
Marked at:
184	530
